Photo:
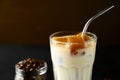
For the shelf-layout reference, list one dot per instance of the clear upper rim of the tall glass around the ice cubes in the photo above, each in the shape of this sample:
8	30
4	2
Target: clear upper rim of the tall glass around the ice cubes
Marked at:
94	36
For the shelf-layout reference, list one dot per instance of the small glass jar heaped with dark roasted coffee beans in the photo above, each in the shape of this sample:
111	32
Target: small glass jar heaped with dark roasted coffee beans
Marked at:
31	69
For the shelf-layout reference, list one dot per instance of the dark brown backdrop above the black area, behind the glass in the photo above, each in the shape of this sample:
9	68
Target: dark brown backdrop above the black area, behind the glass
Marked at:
32	21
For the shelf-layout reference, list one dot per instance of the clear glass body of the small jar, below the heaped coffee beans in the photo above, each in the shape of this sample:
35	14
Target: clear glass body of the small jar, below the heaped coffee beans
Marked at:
38	74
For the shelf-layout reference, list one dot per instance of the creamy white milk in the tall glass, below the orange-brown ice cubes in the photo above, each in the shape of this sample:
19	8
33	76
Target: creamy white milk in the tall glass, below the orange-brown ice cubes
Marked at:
68	66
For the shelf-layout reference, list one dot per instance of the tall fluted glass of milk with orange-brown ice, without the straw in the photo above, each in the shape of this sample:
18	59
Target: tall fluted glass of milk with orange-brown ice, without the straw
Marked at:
68	64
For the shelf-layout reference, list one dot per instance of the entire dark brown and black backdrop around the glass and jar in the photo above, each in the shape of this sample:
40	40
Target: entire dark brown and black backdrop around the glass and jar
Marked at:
25	27
